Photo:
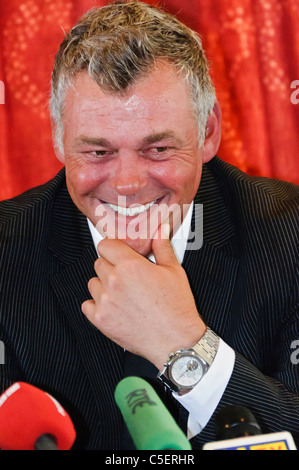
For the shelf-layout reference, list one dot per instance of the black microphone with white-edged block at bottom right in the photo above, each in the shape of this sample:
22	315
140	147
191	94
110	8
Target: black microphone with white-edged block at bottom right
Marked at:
237	429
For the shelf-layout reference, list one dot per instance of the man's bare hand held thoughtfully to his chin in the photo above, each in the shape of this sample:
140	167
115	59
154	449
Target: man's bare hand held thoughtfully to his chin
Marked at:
146	308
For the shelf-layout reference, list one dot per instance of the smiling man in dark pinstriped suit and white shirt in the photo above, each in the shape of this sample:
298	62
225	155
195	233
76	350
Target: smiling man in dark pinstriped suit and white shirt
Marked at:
96	273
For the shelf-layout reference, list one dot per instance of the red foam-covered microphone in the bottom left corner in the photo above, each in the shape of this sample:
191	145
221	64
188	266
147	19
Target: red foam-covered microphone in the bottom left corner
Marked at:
33	420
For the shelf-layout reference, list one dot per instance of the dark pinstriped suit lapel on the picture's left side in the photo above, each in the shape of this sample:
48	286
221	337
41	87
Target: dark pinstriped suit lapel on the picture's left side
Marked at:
72	245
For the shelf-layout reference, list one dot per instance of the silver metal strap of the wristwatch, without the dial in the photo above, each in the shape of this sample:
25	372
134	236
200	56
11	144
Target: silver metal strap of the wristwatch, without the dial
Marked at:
206	349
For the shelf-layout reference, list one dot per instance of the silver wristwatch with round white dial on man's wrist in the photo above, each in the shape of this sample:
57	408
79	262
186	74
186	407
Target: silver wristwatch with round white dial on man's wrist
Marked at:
186	367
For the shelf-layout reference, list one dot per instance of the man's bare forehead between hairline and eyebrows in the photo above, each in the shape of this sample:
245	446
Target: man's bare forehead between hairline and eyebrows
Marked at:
161	90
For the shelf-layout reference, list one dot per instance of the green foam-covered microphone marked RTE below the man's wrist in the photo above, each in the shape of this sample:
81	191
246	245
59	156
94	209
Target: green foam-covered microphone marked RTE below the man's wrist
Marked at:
149	422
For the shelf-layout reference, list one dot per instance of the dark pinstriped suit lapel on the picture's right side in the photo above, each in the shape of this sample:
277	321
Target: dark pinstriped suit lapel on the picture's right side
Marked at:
212	269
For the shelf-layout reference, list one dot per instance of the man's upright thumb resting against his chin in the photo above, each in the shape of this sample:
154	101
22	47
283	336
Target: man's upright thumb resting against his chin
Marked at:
162	248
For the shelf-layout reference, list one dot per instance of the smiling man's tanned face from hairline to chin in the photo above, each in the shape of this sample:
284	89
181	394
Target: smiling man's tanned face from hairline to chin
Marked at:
138	149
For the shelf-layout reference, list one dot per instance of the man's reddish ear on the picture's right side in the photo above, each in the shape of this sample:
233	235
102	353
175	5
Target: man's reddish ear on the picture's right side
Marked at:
213	134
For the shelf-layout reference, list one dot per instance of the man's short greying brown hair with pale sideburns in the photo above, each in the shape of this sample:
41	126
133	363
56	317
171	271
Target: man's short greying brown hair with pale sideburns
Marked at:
121	42
